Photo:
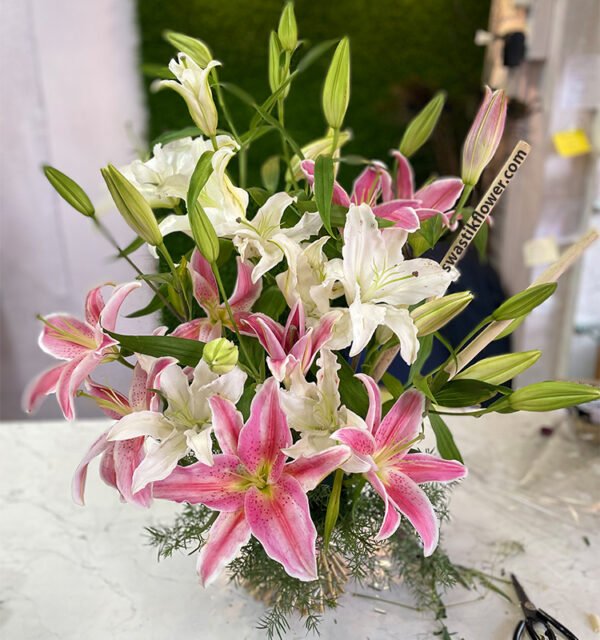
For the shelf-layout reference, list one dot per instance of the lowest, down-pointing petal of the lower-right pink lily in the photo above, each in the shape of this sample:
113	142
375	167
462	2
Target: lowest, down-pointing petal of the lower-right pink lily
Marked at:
413	503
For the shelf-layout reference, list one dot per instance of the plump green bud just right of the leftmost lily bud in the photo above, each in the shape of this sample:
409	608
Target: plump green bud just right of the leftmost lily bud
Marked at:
132	205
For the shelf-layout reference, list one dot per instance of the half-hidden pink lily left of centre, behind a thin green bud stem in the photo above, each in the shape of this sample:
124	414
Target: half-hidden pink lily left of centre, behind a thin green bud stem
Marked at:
206	293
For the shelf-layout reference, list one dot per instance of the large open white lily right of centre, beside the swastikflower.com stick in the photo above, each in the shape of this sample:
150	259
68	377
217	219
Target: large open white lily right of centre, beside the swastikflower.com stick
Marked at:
379	284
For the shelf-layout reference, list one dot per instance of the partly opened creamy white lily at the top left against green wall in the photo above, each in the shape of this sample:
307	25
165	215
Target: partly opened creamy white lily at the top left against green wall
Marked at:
193	86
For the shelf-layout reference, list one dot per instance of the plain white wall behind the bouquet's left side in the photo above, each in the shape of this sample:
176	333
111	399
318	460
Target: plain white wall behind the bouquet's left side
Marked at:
70	97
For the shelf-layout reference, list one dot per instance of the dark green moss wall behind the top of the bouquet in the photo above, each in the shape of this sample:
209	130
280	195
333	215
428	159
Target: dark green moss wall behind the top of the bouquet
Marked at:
402	52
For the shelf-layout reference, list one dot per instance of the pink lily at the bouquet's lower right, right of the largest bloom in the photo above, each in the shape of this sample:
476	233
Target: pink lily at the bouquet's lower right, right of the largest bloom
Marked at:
394	473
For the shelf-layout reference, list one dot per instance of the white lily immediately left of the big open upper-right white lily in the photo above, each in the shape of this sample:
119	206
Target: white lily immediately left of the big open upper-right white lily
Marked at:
264	237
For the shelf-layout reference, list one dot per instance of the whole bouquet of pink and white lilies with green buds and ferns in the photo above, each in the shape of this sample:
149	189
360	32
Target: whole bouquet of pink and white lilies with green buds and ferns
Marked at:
264	403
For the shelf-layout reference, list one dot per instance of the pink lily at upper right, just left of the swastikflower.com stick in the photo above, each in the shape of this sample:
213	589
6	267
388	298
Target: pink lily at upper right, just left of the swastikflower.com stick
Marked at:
404	207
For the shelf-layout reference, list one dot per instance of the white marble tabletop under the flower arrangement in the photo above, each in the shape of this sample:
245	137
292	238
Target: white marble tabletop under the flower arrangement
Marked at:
71	573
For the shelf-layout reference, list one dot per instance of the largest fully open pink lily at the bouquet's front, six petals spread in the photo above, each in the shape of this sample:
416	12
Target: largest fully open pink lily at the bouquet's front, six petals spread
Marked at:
257	492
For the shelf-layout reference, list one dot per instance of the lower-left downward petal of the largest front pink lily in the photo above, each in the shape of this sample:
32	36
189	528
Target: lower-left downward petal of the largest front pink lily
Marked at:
229	533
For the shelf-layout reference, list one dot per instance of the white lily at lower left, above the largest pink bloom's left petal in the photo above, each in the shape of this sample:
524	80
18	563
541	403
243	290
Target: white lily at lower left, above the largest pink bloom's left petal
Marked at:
184	425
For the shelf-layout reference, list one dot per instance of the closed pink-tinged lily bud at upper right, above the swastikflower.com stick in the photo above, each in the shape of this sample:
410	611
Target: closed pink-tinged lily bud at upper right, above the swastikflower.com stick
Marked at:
484	136
